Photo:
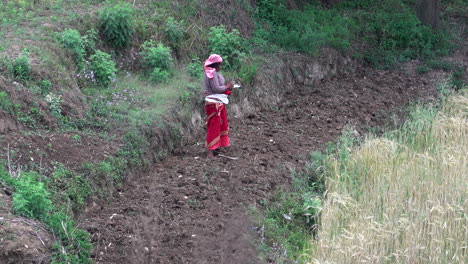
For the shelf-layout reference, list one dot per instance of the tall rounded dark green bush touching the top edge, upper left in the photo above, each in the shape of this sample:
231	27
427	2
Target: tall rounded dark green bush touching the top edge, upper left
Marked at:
116	24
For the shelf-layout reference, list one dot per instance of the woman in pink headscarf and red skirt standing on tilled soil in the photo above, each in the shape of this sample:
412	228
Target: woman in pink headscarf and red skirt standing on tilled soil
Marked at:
216	91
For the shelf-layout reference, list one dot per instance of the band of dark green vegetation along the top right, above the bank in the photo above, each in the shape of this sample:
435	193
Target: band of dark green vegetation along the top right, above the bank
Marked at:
382	33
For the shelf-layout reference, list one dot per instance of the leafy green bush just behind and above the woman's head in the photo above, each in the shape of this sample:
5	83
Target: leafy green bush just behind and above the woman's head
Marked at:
231	46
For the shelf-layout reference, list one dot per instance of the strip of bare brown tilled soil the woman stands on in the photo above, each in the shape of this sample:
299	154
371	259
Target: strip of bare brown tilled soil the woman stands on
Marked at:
191	210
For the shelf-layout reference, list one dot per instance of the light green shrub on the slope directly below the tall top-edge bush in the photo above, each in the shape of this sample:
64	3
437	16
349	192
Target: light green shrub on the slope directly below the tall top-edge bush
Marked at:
102	67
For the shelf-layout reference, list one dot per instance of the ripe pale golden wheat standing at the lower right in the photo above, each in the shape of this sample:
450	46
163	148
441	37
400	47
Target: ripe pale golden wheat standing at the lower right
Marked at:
407	203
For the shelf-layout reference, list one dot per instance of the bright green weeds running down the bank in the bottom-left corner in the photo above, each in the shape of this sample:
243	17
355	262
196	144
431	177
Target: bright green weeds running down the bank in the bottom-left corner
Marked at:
32	199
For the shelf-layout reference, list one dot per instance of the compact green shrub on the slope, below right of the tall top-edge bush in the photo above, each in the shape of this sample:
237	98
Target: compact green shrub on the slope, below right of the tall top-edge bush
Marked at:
156	56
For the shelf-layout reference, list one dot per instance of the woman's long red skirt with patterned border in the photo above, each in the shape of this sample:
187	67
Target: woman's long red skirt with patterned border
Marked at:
217	128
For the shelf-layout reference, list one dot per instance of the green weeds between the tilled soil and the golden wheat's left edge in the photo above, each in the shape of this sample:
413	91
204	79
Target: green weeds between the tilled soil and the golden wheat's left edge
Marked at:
286	222
